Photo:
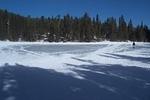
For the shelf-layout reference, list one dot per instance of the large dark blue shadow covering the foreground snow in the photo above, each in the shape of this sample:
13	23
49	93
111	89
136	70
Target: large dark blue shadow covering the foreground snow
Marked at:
102	82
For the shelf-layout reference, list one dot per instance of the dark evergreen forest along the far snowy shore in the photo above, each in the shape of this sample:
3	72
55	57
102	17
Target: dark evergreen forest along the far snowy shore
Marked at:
69	28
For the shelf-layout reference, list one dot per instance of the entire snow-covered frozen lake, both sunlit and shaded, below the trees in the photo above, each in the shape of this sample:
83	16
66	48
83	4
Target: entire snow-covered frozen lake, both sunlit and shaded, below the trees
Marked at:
74	71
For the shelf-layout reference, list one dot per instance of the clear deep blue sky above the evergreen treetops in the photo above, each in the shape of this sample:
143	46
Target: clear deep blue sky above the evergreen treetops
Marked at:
137	10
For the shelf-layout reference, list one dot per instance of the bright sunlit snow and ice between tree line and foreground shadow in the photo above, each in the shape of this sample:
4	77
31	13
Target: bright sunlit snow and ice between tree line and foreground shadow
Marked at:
61	56
